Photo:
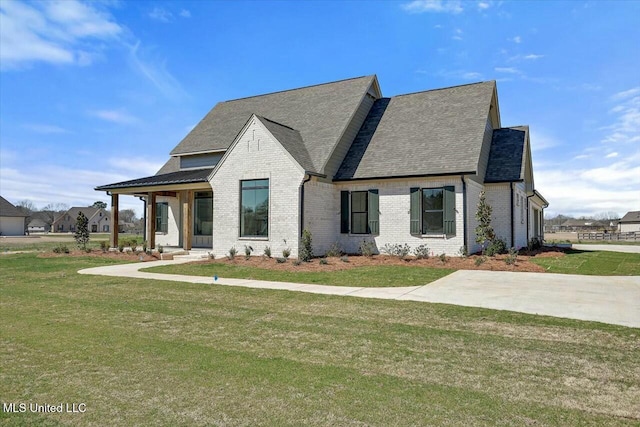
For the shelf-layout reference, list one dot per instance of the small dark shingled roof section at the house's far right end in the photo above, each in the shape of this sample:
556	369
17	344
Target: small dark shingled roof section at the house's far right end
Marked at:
506	155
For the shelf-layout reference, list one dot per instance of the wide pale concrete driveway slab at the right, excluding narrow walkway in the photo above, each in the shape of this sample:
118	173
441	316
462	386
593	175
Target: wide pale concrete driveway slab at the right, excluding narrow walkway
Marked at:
607	299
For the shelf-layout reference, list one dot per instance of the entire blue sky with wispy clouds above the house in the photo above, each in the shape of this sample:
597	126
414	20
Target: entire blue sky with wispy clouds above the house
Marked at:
100	92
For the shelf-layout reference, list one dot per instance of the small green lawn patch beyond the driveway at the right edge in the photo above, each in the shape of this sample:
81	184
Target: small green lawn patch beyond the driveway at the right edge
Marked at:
600	263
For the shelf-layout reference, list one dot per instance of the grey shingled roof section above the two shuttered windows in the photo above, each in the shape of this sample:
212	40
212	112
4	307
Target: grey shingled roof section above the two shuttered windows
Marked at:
437	132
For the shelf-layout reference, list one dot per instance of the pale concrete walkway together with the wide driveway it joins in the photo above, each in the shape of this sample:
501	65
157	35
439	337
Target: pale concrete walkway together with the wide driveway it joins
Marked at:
614	300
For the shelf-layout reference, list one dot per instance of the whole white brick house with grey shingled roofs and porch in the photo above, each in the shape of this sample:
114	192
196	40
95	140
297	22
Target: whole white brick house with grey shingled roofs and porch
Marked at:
348	164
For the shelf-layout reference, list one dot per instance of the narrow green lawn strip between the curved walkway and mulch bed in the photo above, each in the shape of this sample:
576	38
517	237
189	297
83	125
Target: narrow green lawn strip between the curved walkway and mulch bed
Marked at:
379	276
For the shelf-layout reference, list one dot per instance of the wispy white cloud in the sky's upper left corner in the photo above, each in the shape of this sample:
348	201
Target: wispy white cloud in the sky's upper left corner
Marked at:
58	32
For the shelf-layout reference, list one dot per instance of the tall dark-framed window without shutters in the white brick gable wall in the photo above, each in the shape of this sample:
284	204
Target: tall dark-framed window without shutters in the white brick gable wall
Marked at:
254	208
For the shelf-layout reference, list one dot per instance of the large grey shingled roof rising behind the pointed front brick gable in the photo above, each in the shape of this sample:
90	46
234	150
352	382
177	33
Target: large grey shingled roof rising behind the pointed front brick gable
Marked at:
319	113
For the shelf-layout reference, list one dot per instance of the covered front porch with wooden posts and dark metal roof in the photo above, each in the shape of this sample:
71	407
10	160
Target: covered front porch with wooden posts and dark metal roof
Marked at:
178	209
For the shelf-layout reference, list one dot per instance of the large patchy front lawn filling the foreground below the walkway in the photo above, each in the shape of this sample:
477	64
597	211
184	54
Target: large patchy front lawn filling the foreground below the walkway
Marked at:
143	352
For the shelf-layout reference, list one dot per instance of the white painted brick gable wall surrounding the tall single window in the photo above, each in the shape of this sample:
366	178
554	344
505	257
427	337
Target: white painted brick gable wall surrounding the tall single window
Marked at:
257	156
